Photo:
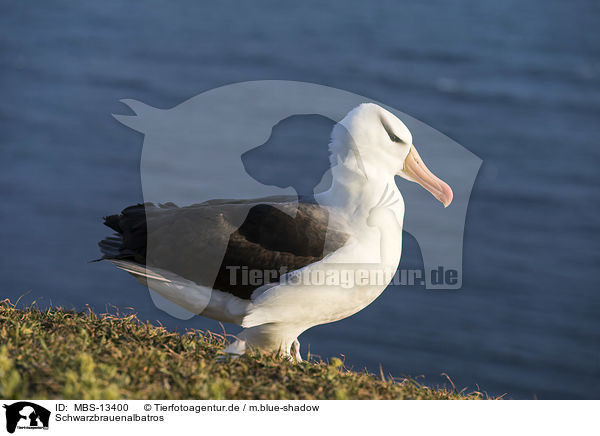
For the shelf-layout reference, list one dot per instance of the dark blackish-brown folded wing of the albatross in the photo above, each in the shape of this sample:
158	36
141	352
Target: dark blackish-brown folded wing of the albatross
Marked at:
206	244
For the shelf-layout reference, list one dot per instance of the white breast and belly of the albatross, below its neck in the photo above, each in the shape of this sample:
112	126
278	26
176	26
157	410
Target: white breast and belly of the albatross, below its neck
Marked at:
343	283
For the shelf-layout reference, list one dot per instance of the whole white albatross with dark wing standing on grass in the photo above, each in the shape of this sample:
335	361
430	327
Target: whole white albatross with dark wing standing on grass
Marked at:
352	229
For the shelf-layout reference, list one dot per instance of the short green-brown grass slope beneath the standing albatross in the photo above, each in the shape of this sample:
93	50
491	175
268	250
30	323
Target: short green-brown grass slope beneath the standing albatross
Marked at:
54	353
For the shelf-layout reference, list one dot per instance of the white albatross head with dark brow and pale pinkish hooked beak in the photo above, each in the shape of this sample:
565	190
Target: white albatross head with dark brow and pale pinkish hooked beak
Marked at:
382	145
